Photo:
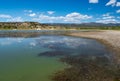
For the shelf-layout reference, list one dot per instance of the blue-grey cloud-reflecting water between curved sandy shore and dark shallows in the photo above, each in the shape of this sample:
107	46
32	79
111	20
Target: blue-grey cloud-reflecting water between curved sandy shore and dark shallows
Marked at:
72	44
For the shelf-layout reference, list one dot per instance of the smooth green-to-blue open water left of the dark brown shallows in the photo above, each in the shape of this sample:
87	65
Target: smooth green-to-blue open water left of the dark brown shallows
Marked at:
19	62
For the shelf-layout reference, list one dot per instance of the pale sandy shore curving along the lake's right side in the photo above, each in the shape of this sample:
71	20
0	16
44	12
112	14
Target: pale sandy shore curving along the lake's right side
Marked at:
109	37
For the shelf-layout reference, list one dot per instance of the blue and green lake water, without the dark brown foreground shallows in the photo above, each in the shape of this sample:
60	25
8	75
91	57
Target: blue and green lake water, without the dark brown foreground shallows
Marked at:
36	57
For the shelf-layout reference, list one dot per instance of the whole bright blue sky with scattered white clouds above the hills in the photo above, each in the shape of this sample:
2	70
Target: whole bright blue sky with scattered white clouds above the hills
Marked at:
60	11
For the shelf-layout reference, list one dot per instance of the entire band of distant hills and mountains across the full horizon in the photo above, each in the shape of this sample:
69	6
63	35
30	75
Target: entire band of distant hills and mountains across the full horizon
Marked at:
41	26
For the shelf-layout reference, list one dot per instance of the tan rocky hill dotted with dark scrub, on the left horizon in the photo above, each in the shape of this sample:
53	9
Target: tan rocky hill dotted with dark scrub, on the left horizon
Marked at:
22	25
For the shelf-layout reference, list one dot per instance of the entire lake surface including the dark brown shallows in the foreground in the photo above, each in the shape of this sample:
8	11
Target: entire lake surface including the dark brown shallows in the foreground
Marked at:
35	56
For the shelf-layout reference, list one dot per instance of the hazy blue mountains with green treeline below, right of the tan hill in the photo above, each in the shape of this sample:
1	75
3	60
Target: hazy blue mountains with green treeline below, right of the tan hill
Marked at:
91	25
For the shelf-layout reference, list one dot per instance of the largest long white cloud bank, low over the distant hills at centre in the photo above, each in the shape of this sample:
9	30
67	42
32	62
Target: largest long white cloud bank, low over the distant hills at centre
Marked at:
72	17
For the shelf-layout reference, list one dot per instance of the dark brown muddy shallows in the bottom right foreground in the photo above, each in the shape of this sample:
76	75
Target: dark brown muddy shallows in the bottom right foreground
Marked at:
85	68
